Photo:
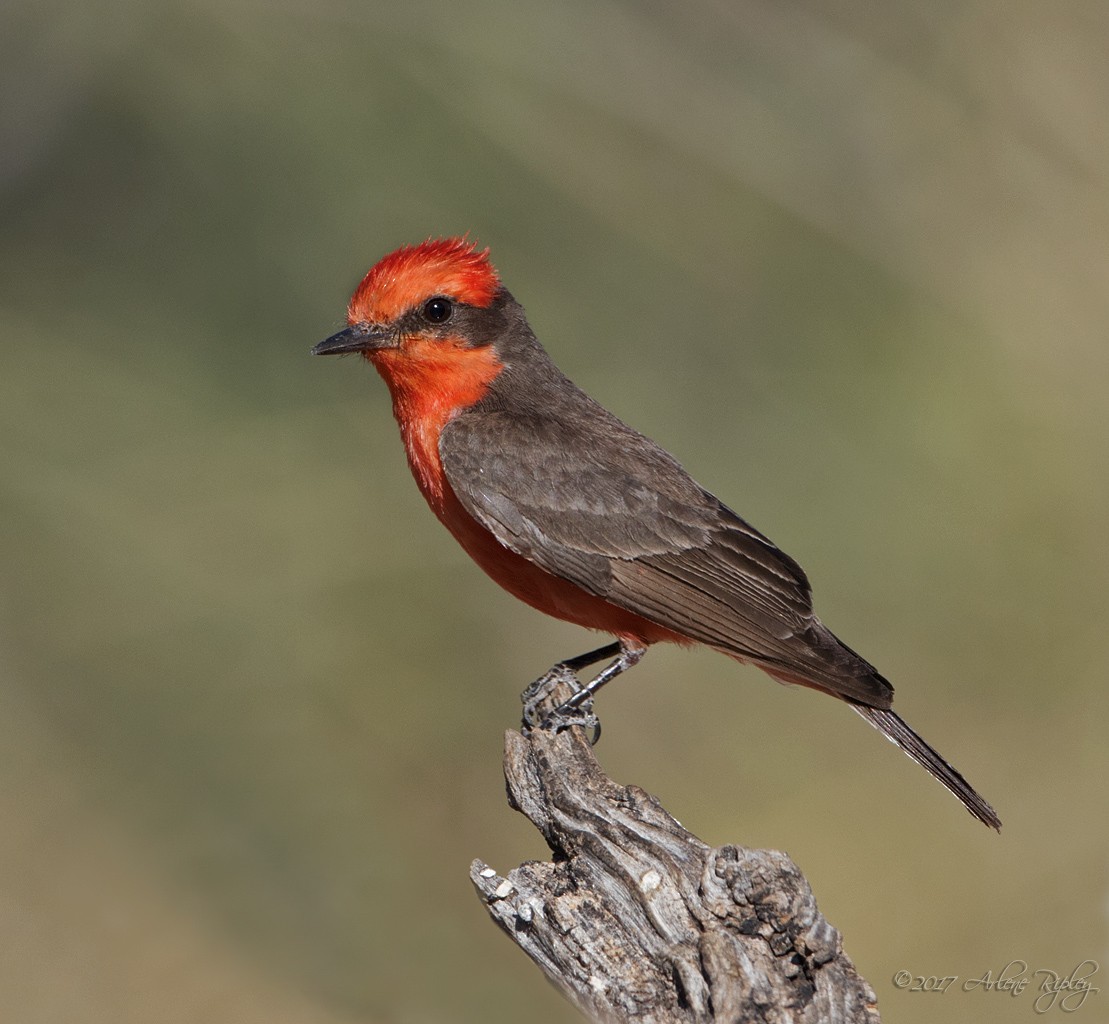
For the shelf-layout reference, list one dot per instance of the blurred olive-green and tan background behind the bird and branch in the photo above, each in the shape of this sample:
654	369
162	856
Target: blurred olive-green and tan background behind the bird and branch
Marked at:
849	262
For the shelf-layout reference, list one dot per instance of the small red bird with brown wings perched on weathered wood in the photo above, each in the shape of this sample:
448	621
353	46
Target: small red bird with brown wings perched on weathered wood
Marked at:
574	512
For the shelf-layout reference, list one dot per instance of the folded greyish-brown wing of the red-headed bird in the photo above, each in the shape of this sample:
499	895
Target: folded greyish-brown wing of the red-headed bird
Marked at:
592	501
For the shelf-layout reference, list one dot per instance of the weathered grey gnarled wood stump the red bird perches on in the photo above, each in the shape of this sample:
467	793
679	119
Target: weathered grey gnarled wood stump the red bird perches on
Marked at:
636	919
